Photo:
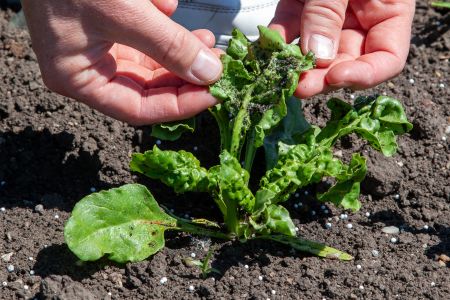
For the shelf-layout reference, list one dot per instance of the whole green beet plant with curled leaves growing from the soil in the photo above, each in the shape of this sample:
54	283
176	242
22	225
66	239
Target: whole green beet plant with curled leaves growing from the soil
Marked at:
256	110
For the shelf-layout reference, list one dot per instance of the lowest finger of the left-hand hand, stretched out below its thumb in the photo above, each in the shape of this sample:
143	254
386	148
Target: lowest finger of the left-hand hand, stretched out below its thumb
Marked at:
123	98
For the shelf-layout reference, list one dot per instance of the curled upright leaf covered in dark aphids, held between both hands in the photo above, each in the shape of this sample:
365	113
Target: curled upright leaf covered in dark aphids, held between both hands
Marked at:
257	80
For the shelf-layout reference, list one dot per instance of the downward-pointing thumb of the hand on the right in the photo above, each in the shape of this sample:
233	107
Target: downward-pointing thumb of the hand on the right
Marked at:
321	26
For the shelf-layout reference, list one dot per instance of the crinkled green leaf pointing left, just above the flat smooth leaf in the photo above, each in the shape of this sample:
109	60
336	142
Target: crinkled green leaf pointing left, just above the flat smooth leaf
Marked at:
179	170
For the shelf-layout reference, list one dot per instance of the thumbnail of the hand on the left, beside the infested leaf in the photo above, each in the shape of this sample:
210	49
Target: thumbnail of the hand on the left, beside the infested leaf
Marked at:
206	67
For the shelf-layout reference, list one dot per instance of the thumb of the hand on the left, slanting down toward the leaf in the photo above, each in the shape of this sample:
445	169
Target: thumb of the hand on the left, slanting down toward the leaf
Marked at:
142	26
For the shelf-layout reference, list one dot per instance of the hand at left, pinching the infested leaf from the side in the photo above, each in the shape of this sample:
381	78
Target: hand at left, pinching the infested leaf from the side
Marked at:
126	59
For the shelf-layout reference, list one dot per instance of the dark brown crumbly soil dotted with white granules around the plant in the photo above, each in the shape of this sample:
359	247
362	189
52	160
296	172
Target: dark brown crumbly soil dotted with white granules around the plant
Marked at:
54	151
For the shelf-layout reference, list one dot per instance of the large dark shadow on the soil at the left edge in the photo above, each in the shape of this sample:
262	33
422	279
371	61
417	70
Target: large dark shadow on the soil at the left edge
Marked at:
41	167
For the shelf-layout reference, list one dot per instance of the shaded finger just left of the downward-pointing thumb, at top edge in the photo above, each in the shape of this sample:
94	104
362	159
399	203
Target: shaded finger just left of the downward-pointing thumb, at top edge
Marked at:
287	19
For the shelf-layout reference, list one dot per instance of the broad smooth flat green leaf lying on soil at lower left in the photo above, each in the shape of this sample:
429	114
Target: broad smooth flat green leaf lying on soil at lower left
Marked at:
125	223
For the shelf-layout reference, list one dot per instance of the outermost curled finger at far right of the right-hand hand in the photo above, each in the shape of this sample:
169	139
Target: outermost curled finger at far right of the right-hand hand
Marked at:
386	49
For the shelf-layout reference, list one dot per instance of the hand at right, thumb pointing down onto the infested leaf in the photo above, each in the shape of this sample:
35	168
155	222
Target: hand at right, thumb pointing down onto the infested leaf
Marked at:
358	43
